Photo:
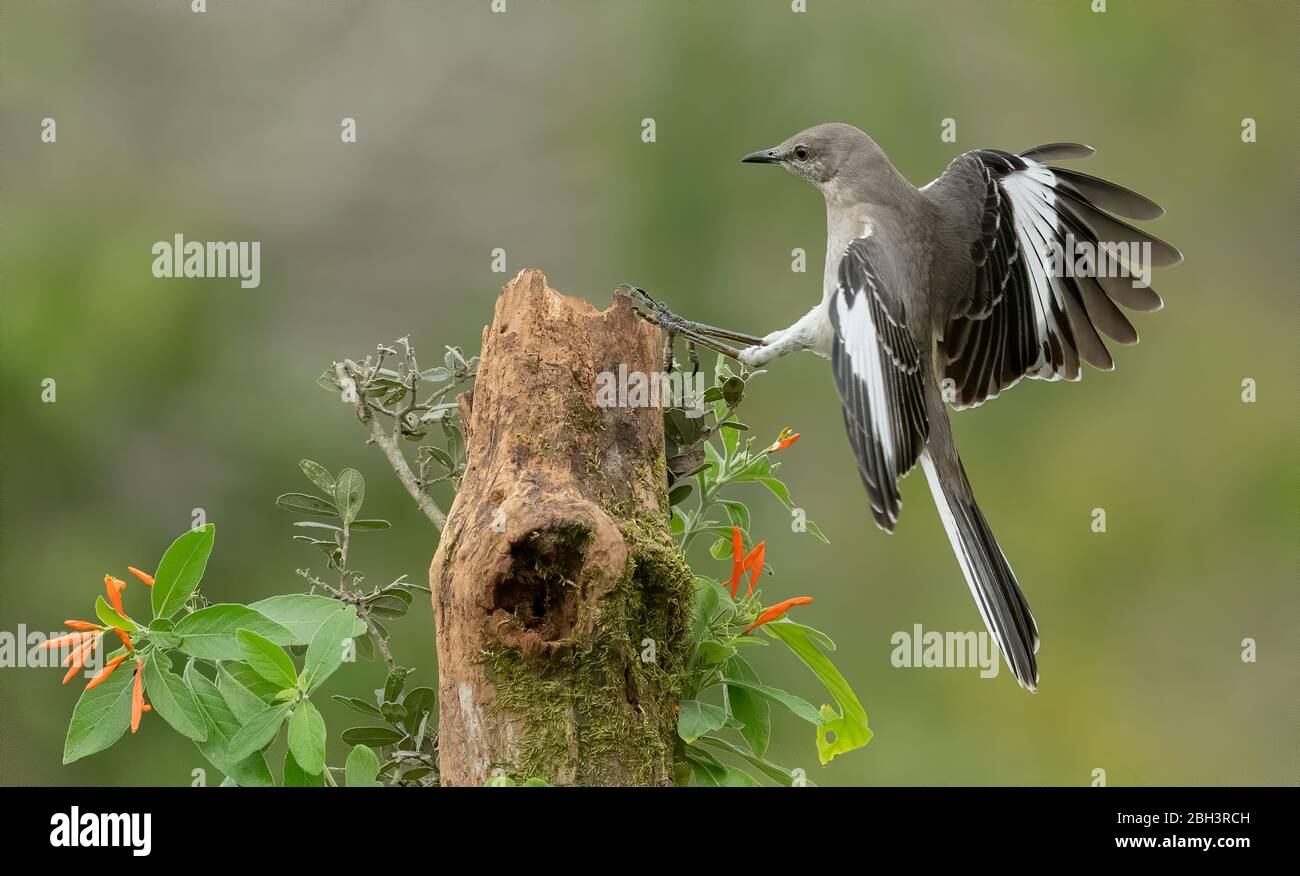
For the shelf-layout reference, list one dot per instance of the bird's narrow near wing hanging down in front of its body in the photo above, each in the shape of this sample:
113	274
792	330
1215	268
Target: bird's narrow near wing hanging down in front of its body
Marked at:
877	367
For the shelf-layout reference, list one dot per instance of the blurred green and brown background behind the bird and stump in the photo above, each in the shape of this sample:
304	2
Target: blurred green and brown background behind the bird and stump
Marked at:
523	132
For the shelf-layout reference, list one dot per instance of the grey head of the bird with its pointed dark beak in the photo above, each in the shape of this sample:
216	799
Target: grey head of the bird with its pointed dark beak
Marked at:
838	159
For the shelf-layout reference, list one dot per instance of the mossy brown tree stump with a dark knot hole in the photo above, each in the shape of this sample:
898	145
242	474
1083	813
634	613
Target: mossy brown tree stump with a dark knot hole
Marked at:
562	602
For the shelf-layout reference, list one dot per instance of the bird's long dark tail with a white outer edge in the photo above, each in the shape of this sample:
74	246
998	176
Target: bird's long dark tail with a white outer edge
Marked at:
1007	614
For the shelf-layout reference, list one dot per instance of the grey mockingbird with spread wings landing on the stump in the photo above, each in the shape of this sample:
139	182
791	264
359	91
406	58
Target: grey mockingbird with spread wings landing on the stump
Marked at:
951	294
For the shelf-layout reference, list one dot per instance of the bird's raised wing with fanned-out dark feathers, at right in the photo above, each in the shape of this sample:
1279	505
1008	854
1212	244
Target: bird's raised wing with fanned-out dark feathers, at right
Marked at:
1028	313
